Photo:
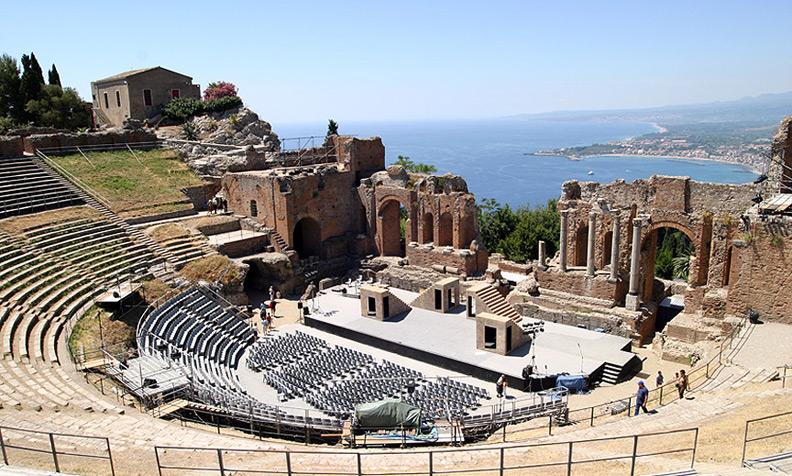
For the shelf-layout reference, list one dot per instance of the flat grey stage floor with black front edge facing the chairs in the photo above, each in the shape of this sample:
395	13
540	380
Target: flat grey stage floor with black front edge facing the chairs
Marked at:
449	341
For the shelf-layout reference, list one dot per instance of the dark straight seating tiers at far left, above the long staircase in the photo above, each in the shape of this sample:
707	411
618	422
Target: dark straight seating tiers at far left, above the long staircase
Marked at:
25	188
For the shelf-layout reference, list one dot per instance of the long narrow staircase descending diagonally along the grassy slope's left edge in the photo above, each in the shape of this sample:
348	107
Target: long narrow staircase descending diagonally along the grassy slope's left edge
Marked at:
92	199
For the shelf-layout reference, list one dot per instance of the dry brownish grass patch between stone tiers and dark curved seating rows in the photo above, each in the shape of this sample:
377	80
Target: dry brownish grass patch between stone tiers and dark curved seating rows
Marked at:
96	326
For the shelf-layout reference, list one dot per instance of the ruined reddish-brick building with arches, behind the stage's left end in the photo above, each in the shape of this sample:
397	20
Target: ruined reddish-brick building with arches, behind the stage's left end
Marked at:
350	206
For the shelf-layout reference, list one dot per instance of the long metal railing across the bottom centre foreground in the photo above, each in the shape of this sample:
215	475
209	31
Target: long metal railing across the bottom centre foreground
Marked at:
561	456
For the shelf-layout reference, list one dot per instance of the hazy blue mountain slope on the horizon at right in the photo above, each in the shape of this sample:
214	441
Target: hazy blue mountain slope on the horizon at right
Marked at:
762	109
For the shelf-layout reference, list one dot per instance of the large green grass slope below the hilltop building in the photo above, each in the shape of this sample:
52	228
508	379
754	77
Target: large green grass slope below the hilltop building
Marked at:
129	185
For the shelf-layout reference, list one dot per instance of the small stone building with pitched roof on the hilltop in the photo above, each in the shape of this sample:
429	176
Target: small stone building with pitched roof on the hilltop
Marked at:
138	94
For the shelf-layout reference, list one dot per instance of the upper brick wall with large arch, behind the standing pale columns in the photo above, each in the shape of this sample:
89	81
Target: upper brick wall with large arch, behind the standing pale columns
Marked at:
705	212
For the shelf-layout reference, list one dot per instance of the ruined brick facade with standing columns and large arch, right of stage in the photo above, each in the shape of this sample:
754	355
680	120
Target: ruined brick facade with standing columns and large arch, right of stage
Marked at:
604	275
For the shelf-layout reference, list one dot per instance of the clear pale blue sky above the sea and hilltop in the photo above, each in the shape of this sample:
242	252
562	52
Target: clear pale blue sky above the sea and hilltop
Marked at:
307	61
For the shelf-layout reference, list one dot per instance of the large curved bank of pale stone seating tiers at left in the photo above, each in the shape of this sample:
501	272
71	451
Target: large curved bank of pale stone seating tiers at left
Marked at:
49	274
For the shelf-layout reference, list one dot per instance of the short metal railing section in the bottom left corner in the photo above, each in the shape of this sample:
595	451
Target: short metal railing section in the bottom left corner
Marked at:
13	440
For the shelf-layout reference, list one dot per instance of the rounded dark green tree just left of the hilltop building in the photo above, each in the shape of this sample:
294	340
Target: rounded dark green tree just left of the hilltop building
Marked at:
58	107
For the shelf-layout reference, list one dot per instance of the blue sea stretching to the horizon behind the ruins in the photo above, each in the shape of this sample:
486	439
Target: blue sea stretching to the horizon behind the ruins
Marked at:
495	157
